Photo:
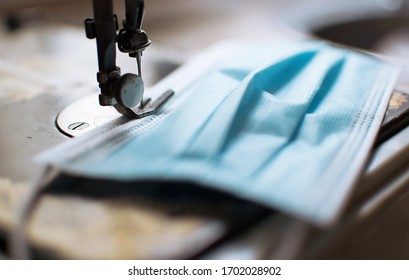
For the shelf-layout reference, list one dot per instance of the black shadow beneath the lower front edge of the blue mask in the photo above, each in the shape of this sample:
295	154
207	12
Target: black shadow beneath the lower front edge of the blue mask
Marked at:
174	198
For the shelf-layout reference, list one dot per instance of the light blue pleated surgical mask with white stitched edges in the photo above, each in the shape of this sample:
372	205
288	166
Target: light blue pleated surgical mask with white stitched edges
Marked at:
288	126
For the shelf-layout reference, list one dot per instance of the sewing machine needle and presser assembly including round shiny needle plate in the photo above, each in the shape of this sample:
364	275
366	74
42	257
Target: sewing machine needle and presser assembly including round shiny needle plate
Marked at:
123	92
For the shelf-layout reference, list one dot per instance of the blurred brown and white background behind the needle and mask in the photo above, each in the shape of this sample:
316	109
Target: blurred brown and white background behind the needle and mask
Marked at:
183	27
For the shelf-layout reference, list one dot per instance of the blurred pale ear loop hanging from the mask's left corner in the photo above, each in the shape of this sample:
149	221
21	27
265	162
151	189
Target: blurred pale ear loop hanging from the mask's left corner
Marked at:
19	247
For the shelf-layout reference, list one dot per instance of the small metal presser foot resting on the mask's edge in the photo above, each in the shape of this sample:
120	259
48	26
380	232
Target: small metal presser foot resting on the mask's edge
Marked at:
146	108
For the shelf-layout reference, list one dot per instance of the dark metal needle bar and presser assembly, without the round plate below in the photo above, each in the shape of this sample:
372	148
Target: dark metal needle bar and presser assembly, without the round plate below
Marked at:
121	91
